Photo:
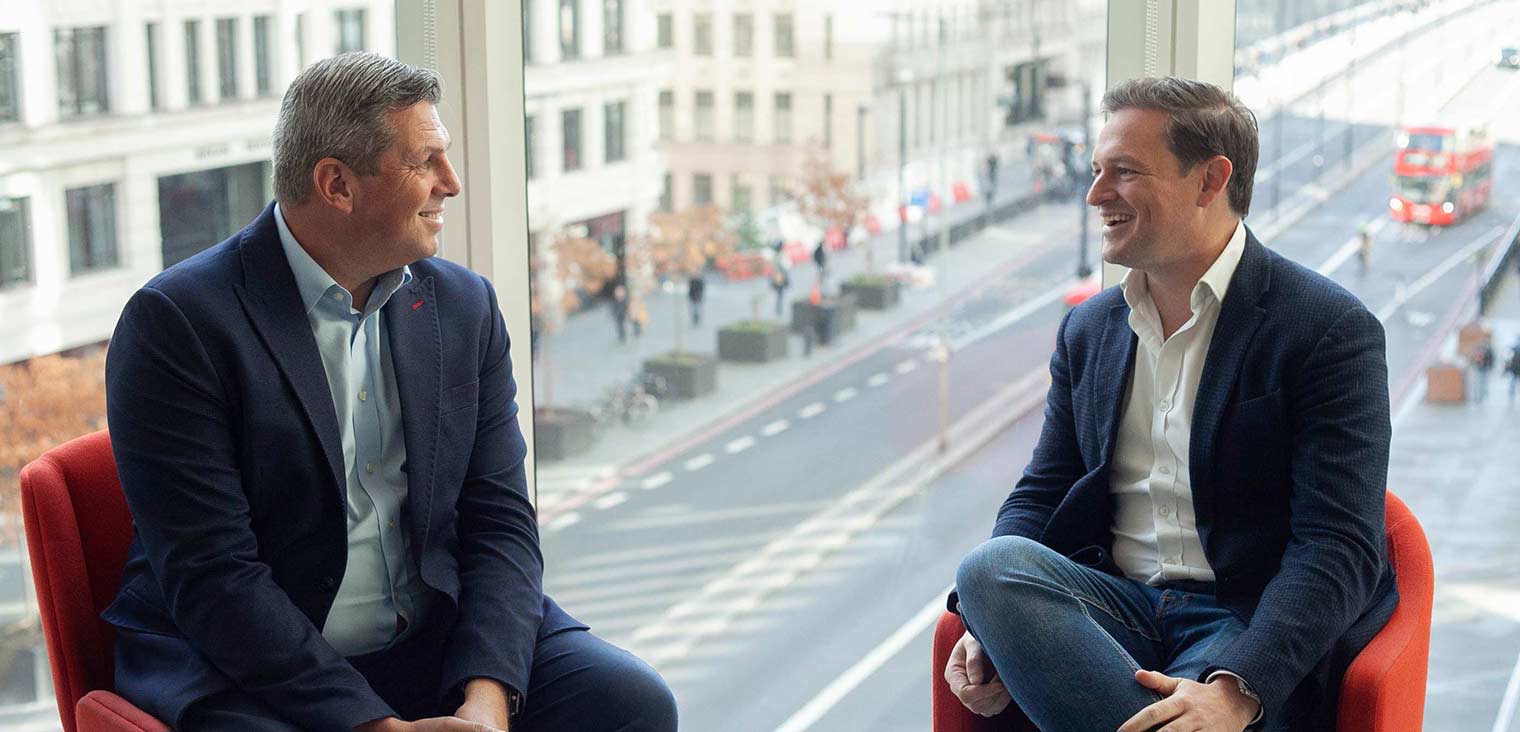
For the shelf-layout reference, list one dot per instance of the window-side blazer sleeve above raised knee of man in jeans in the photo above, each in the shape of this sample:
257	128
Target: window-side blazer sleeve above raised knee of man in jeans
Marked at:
1057	462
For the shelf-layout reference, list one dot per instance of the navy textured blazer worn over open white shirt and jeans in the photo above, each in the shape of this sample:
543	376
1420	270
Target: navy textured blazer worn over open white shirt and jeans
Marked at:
1290	467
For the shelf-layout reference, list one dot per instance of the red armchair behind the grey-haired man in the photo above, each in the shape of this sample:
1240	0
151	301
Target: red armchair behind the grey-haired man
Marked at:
78	529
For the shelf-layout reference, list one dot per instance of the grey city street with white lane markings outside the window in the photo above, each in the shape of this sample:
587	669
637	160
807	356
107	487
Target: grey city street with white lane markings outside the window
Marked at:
800	552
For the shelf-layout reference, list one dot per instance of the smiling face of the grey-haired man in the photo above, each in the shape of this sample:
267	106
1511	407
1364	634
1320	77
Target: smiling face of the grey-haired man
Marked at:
399	212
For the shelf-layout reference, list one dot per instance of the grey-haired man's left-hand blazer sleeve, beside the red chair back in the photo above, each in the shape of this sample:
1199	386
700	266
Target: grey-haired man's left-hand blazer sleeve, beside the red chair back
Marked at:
176	446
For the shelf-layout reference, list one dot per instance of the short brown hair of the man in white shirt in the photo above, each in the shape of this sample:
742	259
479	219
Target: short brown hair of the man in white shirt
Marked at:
1203	121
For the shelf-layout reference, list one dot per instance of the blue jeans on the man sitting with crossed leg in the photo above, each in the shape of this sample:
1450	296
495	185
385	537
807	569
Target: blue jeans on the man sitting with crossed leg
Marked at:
1066	639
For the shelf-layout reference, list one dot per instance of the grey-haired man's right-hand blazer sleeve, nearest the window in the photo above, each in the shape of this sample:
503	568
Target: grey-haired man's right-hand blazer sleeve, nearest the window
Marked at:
501	566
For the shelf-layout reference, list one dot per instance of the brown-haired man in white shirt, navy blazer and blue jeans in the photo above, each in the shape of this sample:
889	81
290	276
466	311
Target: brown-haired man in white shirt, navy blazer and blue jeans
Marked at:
1199	540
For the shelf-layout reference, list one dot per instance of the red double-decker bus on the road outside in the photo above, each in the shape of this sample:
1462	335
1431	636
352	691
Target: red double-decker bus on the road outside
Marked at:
1442	175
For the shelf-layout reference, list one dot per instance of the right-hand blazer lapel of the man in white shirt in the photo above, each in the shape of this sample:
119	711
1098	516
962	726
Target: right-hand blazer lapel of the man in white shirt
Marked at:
1240	318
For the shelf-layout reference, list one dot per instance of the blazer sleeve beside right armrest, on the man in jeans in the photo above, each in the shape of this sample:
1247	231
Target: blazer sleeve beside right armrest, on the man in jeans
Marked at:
1340	472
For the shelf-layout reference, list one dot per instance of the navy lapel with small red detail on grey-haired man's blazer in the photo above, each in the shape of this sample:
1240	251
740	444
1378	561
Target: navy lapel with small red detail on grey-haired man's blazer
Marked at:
411	320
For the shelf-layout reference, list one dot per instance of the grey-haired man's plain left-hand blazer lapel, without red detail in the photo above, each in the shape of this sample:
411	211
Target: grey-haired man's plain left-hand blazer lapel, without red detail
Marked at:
273	303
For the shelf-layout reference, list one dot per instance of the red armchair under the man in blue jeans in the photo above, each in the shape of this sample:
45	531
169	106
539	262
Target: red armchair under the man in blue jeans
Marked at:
1384	690
